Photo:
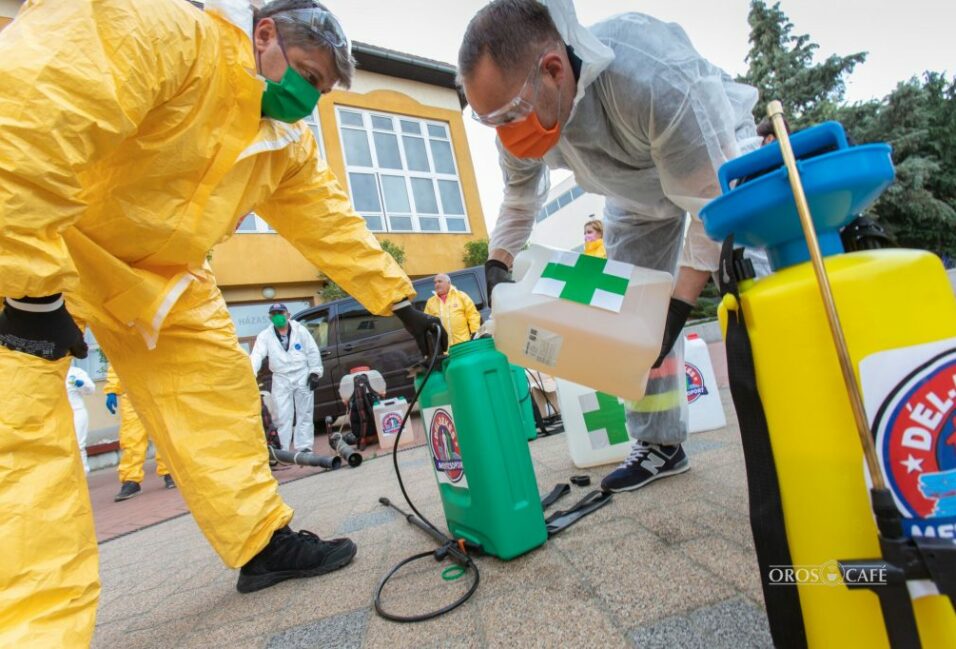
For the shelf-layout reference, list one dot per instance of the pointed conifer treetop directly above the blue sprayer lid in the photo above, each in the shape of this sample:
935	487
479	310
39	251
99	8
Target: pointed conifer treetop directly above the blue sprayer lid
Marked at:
782	67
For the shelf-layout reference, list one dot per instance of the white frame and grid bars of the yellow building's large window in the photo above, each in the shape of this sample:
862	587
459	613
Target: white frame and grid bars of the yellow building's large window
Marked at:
405	173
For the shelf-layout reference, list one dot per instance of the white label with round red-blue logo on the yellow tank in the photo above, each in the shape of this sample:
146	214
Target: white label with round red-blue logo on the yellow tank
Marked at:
910	397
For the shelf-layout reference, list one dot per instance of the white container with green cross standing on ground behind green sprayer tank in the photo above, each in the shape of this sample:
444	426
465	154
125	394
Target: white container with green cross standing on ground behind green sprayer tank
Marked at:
594	424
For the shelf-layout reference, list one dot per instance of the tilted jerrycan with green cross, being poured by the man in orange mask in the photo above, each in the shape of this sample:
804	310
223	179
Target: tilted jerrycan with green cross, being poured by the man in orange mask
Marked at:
584	319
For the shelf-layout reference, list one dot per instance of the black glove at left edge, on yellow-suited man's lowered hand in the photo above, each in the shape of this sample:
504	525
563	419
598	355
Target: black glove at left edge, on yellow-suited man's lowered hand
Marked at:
41	327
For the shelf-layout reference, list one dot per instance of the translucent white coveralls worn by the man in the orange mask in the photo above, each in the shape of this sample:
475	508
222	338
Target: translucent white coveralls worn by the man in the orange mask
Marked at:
652	121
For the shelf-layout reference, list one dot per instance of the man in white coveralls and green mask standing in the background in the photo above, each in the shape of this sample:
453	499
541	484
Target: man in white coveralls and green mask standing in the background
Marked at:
296	369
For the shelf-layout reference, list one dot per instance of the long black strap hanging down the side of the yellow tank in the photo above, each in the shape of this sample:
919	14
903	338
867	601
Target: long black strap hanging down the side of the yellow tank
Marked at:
766	507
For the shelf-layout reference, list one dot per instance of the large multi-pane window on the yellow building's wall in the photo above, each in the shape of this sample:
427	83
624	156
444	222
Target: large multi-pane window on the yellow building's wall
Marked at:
401	172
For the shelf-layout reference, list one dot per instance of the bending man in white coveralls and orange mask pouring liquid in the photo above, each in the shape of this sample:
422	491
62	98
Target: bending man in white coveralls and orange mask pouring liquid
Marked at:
640	117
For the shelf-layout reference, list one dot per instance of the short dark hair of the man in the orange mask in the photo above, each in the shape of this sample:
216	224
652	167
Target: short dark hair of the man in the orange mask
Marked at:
511	32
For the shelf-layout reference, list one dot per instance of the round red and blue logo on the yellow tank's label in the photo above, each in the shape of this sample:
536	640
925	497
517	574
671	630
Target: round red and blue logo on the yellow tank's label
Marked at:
915	431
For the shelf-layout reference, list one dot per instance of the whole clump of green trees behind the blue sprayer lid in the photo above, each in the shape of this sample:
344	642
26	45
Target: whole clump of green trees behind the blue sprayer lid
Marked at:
918	119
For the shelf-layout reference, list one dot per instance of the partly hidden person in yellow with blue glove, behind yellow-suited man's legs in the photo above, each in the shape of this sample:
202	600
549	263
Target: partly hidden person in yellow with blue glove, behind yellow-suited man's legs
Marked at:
133	442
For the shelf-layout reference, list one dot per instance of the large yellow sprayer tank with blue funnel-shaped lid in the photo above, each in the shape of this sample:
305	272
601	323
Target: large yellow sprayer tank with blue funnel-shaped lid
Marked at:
898	314
